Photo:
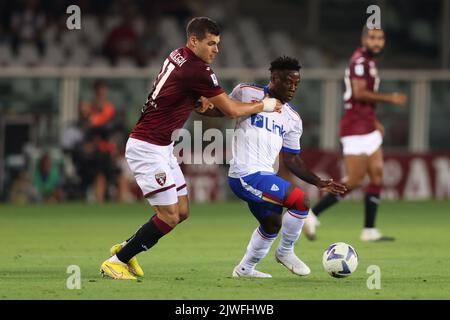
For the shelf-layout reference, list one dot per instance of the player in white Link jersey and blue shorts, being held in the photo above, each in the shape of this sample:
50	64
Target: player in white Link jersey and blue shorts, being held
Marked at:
257	142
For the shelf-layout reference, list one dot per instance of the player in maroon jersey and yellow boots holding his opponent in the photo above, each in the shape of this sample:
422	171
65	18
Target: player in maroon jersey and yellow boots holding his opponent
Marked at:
185	77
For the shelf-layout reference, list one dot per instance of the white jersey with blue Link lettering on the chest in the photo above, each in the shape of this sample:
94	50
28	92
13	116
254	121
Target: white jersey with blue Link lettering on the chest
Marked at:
258	138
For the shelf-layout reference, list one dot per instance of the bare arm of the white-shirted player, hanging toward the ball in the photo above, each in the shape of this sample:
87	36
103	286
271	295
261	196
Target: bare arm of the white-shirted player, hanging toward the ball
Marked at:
296	165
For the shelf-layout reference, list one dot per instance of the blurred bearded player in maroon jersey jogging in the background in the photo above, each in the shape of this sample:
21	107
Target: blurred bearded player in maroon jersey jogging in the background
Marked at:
361	134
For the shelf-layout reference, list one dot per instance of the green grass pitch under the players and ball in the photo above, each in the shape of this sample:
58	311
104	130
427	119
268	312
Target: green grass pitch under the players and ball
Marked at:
195	261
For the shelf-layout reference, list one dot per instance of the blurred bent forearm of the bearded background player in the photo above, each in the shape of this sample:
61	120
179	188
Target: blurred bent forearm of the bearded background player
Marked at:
361	93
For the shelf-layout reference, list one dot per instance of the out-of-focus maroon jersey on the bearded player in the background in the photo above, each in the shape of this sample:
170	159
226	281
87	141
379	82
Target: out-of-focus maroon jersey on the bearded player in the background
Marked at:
359	116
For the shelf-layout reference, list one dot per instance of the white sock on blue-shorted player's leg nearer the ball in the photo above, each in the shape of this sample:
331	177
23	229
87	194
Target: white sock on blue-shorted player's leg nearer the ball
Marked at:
291	229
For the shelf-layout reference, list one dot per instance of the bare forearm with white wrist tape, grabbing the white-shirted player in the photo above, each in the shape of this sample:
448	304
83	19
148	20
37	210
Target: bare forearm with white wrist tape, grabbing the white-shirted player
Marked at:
235	109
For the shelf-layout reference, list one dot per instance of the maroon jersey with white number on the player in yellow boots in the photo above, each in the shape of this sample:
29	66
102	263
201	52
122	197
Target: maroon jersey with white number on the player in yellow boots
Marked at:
183	78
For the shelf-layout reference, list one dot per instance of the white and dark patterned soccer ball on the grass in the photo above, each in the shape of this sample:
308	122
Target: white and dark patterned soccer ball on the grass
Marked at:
340	260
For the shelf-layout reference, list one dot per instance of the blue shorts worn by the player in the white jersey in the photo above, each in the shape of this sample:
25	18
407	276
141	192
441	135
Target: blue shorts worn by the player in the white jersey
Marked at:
264	192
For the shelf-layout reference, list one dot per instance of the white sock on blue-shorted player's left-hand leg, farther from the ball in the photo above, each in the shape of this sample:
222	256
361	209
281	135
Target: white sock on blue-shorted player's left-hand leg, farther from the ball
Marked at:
257	249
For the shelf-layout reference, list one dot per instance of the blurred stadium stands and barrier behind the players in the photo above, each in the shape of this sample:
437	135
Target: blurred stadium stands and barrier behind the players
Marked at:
54	147
